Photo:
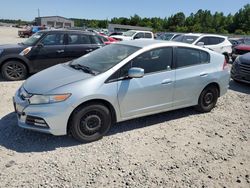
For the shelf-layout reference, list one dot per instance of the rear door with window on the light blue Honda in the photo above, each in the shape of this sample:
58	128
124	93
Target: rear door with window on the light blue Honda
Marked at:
192	75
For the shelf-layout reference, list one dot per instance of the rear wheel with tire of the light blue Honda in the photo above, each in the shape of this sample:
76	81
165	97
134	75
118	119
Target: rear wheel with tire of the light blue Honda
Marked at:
208	99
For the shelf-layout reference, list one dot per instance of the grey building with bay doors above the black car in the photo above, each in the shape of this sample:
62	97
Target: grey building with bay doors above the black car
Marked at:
54	21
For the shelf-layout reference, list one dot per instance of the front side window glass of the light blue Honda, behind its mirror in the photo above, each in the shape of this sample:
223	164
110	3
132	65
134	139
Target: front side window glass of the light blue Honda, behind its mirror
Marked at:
152	61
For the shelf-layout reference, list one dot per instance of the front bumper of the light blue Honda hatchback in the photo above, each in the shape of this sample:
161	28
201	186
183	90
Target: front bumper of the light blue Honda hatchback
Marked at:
53	118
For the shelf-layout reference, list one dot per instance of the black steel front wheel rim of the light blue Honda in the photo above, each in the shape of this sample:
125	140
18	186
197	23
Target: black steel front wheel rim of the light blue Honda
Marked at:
90	124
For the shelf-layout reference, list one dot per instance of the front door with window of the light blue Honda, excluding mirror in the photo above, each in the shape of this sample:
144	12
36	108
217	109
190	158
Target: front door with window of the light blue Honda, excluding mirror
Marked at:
153	92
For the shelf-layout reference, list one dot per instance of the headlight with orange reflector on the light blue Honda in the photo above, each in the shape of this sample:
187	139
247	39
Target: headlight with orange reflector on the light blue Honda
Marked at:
47	99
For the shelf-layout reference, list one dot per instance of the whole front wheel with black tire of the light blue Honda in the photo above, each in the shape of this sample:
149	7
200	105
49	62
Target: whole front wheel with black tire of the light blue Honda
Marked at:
90	123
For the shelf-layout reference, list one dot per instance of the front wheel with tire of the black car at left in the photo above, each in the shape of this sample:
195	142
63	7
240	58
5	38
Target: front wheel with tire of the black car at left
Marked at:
14	70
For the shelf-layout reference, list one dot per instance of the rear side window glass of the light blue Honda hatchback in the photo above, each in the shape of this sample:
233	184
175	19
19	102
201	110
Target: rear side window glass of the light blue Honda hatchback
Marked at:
189	57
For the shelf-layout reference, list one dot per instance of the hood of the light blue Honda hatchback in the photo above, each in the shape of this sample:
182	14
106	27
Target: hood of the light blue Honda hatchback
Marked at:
52	78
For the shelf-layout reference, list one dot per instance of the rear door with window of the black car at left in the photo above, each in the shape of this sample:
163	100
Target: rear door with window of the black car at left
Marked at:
80	44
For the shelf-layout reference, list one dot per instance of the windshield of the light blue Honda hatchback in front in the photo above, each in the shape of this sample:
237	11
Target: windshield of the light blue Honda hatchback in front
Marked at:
105	58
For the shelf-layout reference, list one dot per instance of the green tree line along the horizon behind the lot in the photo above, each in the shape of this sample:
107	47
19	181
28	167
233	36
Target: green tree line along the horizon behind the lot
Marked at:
203	21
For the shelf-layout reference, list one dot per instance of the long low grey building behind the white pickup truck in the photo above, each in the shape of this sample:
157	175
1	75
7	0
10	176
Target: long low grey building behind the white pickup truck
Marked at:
122	28
